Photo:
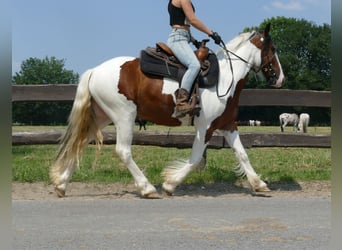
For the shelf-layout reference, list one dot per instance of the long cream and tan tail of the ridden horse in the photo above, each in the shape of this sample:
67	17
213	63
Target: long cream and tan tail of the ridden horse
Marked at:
82	127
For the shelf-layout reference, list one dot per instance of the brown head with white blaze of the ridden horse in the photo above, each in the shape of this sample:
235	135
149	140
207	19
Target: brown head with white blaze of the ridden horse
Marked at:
270	64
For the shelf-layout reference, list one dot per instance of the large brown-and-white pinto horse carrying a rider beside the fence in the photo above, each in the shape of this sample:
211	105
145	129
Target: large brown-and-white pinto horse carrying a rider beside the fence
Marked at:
118	91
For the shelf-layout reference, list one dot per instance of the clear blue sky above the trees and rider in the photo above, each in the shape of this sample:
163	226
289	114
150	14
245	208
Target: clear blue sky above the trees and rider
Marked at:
86	33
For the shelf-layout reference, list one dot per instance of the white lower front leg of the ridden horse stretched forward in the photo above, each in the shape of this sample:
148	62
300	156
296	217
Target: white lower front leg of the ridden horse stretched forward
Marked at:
245	168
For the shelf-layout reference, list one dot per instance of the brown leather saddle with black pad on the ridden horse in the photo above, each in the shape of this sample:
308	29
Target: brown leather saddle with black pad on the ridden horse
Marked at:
160	61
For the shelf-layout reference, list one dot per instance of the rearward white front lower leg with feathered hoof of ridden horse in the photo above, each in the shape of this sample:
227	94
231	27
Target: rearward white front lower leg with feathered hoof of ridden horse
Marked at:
176	172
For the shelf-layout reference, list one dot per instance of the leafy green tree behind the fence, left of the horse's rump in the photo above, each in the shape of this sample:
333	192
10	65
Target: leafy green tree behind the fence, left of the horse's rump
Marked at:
43	71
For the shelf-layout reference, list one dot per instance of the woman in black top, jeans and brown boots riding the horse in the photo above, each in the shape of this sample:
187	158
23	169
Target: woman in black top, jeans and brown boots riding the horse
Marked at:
182	15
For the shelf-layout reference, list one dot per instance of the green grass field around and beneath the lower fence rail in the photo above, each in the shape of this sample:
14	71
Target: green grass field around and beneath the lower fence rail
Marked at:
31	163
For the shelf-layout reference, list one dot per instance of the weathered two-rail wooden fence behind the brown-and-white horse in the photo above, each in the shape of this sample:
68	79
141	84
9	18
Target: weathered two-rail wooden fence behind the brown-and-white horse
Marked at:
249	97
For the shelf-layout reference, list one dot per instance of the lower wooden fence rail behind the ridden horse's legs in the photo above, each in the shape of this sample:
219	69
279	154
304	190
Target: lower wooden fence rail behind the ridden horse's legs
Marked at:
184	140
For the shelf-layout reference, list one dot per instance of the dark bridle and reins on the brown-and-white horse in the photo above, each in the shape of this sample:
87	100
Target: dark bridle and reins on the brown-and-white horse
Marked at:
266	68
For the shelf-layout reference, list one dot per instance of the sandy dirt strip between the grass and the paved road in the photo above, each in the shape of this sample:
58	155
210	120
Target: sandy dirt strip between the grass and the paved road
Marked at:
94	191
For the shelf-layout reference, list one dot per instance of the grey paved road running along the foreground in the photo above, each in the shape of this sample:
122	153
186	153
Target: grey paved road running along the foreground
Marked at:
176	223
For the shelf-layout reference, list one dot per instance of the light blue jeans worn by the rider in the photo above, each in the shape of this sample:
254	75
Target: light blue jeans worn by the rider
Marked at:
178	42
